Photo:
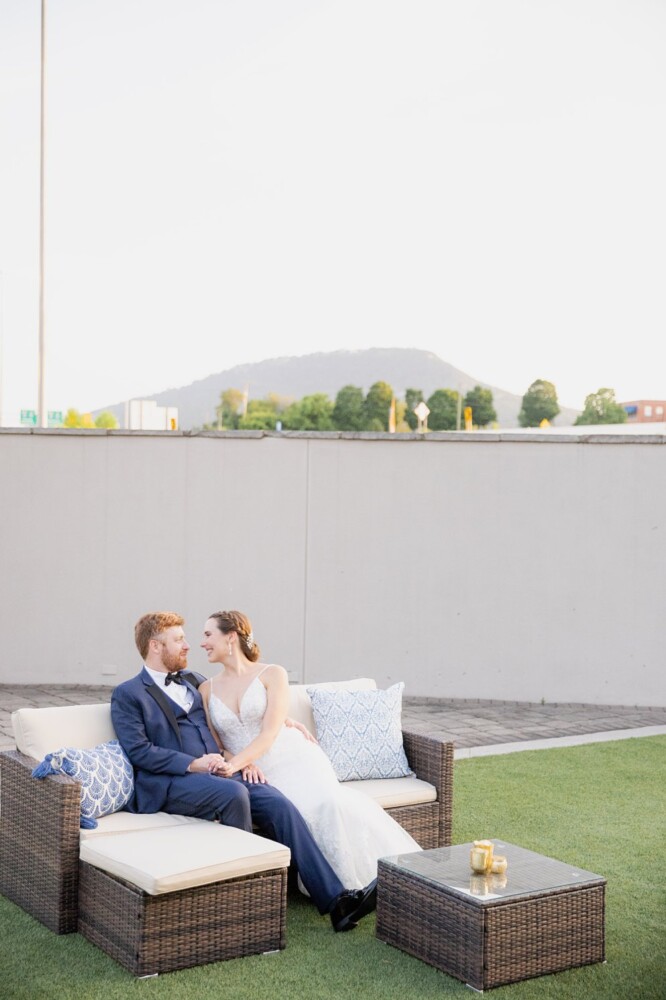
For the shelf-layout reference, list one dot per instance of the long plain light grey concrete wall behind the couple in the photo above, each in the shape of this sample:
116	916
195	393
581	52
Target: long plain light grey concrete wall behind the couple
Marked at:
479	565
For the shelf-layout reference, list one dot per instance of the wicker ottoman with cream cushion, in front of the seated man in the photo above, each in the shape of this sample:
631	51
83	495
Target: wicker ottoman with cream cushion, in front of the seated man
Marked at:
168	899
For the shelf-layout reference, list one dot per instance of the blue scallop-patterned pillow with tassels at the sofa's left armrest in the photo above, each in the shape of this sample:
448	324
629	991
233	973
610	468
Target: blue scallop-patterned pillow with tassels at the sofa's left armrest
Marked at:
104	773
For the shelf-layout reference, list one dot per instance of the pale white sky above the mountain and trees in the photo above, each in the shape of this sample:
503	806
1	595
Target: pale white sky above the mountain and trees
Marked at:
233	180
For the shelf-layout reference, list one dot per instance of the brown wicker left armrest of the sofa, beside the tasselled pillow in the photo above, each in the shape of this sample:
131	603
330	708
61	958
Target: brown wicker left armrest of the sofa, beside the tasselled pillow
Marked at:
39	842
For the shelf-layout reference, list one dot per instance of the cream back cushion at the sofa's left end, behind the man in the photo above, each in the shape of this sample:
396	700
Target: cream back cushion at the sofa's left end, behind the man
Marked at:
39	731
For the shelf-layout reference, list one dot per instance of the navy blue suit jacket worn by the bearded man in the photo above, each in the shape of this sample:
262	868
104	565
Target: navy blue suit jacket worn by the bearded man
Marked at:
146	726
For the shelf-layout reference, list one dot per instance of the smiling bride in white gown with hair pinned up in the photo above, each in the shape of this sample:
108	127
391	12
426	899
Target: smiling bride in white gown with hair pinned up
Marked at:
246	705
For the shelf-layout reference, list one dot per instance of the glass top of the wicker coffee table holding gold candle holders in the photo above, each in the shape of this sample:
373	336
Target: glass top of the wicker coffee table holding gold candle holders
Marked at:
527	873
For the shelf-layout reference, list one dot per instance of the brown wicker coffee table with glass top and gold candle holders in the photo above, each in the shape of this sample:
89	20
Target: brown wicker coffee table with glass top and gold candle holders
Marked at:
488	930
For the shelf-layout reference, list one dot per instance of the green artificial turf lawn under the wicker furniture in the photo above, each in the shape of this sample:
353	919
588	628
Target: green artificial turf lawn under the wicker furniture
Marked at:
600	807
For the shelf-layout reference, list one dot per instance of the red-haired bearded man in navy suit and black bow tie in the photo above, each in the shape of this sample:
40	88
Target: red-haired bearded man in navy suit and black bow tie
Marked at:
160	721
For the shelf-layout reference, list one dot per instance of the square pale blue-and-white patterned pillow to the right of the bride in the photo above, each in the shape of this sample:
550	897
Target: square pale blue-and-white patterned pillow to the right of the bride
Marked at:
360	732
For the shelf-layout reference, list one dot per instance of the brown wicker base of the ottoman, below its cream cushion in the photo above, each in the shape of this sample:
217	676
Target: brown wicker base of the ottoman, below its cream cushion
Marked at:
153	934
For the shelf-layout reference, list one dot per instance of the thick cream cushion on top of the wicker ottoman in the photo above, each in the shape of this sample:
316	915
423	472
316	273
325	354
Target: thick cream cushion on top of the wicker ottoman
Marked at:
180	857
